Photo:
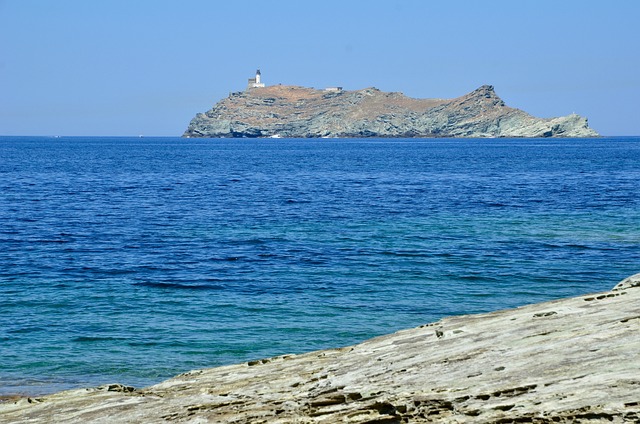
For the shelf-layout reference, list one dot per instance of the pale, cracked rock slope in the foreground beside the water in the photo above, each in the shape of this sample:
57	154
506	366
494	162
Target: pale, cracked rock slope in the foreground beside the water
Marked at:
564	361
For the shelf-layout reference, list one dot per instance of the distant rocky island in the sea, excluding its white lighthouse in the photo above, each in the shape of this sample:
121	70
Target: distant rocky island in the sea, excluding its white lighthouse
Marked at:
288	111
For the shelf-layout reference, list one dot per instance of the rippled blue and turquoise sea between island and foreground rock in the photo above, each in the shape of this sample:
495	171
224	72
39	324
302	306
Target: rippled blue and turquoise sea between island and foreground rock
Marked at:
134	259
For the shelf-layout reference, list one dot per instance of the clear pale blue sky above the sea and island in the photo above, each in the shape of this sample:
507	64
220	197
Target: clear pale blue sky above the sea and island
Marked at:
146	67
